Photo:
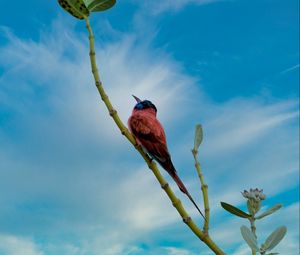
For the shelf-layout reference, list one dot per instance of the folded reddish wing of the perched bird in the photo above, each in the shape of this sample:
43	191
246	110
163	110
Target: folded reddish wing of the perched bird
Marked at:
151	135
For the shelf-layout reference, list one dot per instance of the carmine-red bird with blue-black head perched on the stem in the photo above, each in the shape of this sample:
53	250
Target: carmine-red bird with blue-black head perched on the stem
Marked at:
150	134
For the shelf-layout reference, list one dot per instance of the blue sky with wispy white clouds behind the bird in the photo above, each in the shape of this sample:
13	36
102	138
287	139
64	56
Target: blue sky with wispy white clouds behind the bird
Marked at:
71	185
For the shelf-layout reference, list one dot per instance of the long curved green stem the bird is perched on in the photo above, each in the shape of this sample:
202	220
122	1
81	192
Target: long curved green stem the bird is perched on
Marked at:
151	164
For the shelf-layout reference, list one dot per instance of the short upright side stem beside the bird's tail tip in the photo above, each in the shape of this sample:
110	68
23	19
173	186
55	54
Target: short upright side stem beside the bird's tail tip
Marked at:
204	189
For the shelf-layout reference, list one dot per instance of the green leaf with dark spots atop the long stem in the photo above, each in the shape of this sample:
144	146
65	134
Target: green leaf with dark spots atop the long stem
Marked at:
76	8
